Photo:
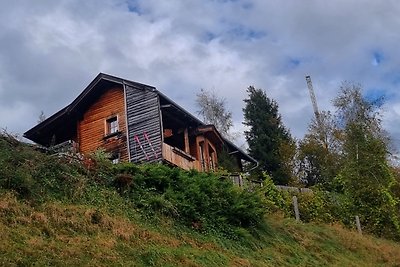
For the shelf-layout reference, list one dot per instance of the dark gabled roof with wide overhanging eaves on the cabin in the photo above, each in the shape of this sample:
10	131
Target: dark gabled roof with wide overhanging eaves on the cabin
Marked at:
66	117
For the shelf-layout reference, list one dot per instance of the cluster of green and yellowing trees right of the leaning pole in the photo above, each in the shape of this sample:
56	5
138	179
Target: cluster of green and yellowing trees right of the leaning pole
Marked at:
348	155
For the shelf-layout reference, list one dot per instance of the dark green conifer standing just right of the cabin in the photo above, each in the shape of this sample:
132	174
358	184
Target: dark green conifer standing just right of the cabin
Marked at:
269	141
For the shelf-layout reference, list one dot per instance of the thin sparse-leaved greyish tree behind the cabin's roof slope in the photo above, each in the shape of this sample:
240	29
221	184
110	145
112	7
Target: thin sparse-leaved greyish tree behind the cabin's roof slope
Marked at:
213	111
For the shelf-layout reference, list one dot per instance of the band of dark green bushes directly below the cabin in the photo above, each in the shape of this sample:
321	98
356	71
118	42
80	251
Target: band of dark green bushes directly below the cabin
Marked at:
201	200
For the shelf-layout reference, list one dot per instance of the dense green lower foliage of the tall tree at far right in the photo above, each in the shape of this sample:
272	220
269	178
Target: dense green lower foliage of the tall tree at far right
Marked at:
368	179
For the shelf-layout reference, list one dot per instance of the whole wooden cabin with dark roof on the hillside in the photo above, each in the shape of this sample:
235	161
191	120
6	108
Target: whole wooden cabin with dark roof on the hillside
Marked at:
137	123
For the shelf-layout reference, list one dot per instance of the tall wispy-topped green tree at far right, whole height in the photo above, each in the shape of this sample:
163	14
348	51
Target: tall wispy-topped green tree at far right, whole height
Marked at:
366	175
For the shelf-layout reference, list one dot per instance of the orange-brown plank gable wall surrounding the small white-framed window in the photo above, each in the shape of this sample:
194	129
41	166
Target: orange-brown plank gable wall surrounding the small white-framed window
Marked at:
91	132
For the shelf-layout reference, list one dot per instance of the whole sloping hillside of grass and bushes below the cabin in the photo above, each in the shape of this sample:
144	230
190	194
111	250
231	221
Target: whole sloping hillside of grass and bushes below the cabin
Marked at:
63	211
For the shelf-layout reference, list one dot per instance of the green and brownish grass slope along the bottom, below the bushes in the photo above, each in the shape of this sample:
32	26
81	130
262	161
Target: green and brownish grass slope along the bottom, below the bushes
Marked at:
58	234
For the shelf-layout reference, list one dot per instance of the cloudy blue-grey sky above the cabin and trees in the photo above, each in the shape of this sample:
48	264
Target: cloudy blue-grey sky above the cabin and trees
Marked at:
51	50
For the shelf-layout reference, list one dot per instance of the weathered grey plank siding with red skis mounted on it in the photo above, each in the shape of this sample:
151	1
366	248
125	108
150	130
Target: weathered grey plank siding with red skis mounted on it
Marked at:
144	124
